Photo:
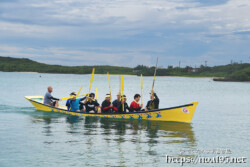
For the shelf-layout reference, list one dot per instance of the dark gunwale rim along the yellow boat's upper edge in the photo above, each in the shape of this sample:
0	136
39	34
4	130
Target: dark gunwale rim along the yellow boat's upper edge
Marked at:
139	112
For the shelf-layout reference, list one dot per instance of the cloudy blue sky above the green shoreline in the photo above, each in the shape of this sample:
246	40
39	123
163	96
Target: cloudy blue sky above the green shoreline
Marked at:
126	33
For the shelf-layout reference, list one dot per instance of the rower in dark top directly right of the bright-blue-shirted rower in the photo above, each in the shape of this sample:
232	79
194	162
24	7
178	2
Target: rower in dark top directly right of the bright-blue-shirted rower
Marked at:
91	104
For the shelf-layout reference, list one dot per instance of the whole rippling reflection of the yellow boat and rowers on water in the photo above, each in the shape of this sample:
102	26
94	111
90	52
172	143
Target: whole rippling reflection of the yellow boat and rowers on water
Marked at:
140	138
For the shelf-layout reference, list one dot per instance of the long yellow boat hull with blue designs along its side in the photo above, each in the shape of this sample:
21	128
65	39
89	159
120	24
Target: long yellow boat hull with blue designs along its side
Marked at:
183	113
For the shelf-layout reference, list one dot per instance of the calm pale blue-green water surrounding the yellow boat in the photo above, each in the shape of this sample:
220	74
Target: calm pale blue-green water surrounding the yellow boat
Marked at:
34	138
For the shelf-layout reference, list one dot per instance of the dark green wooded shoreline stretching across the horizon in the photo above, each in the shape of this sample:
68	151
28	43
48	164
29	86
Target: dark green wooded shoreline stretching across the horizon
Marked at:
230	72
